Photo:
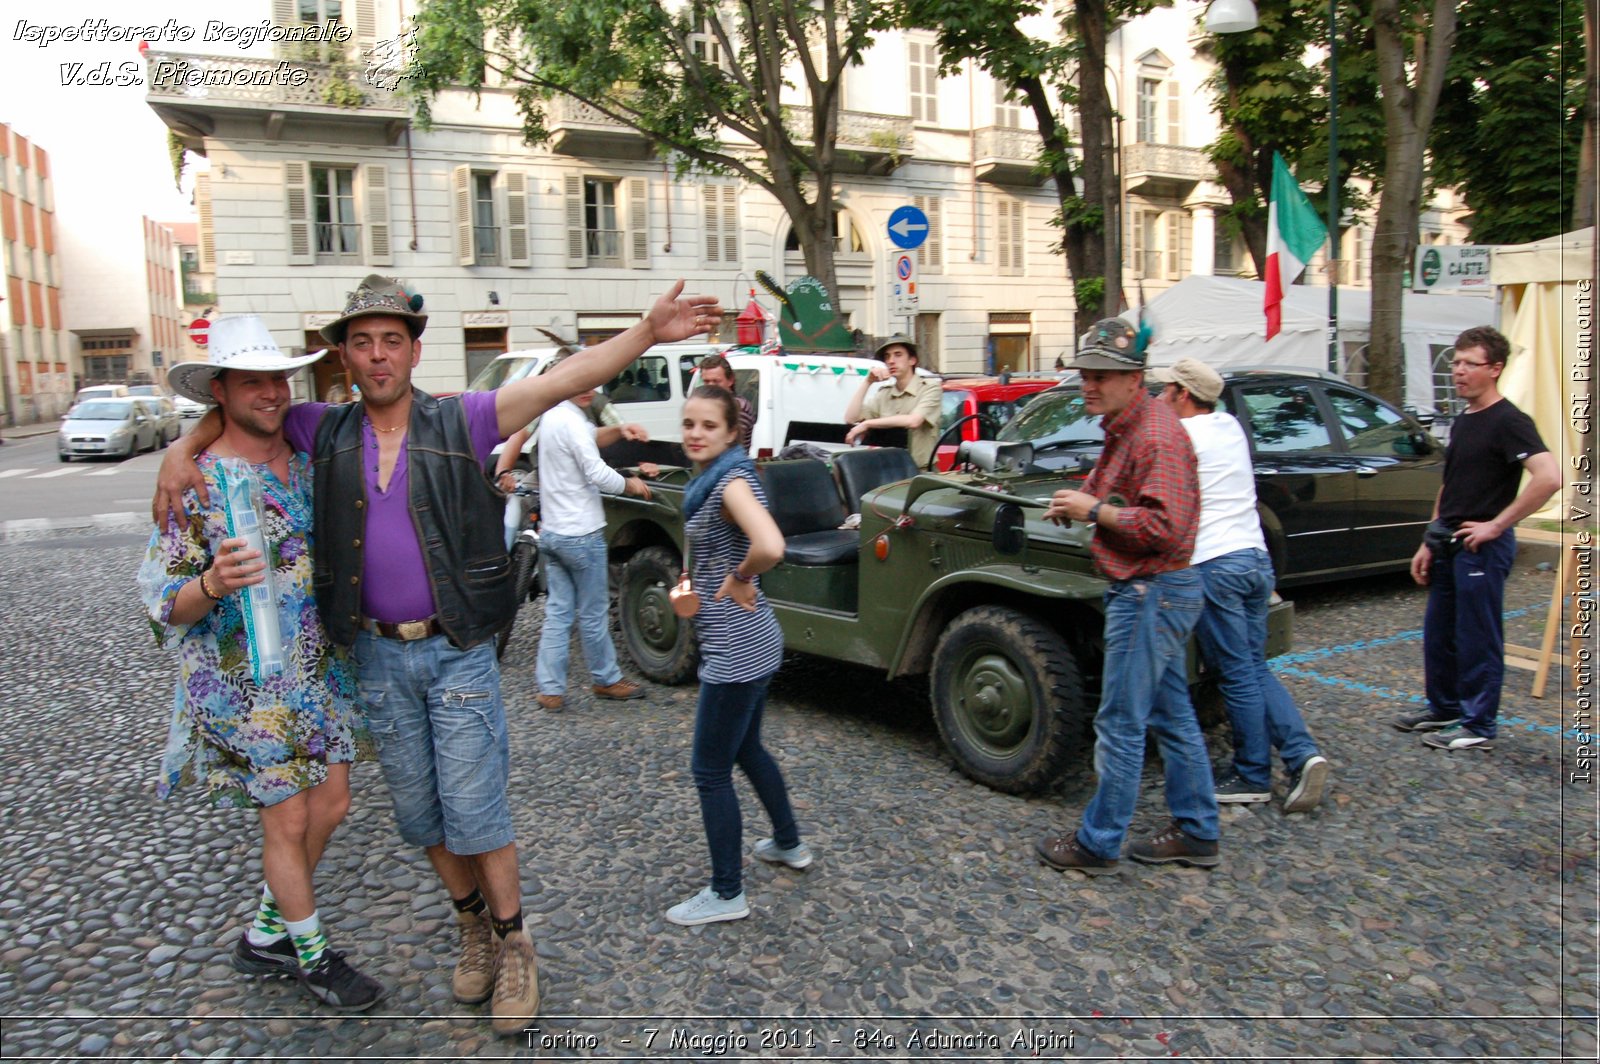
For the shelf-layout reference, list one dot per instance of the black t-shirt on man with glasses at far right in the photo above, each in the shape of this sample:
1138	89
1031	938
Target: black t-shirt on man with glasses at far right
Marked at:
1484	462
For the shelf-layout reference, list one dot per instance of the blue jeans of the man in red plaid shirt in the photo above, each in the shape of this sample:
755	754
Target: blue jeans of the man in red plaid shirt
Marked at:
1146	686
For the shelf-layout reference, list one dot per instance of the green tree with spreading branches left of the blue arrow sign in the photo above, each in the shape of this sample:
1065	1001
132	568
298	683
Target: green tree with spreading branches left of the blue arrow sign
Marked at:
679	74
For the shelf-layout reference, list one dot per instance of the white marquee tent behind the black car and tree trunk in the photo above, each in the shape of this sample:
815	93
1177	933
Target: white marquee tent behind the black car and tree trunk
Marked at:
1222	321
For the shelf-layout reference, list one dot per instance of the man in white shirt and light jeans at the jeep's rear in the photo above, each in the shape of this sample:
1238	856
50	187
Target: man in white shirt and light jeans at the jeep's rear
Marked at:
572	542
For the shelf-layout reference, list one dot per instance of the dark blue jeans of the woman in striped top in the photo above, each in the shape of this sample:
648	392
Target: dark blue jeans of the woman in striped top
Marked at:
727	734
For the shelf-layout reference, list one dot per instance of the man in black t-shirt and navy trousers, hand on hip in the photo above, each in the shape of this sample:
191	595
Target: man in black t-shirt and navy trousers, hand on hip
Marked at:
1471	546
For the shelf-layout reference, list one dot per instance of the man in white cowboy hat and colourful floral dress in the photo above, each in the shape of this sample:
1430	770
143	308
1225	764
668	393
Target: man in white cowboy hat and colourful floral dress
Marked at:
281	746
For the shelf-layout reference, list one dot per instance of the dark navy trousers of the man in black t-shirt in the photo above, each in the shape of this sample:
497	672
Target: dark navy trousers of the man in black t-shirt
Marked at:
1465	638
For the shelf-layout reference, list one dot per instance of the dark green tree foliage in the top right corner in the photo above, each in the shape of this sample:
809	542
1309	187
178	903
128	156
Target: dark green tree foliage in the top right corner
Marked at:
1511	118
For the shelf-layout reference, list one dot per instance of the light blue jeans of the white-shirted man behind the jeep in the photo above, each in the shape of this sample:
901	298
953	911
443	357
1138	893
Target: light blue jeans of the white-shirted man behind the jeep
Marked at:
577	570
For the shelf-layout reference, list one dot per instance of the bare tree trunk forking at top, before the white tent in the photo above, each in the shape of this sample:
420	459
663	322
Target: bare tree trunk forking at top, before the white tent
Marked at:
1409	116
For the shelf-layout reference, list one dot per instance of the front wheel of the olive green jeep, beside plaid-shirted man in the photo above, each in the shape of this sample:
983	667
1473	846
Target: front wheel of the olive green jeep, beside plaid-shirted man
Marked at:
1007	700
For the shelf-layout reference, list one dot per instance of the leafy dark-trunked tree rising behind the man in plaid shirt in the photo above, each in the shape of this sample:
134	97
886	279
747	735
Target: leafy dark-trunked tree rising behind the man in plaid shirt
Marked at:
1054	78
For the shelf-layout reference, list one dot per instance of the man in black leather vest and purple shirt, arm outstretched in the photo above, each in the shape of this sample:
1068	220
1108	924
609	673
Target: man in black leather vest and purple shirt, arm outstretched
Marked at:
412	570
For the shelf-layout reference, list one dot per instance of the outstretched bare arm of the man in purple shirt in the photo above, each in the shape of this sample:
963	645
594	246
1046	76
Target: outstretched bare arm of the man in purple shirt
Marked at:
673	318
